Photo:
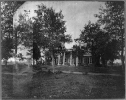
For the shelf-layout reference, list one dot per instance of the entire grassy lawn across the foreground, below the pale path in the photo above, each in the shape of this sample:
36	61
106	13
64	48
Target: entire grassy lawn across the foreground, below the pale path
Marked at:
62	86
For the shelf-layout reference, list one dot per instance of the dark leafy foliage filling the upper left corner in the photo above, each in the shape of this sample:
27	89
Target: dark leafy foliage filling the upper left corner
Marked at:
8	9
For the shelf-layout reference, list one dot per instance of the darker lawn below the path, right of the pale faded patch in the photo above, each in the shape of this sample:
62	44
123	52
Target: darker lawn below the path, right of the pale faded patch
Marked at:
71	86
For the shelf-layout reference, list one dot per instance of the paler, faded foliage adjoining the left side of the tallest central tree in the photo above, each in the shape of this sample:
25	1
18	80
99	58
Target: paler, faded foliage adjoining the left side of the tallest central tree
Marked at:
24	30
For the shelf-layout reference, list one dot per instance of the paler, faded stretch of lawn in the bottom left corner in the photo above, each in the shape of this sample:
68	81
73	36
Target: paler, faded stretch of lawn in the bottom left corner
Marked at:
15	86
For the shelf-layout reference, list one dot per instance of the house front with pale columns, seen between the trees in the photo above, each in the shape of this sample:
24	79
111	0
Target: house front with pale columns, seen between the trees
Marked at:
69	57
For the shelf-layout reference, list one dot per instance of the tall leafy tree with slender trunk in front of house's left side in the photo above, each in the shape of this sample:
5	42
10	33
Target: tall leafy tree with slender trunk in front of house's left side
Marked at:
51	29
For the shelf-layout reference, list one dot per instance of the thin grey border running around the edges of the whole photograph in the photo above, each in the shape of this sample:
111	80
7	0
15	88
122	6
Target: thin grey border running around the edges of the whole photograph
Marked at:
66	1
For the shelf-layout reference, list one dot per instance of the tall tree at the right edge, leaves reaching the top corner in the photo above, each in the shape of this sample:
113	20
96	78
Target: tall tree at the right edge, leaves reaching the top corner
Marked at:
112	18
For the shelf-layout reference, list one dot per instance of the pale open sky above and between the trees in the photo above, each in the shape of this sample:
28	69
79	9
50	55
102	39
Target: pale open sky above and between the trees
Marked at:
76	14
